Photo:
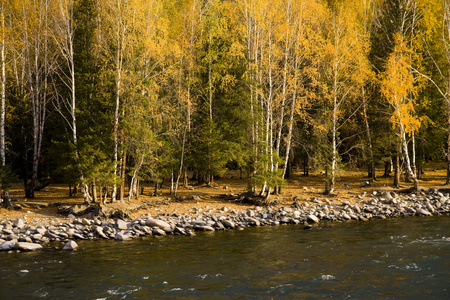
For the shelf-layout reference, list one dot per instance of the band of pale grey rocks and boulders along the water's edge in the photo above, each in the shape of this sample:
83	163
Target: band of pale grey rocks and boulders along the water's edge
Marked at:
19	235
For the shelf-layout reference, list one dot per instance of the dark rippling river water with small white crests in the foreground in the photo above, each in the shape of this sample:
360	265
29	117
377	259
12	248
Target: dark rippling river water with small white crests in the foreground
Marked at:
403	258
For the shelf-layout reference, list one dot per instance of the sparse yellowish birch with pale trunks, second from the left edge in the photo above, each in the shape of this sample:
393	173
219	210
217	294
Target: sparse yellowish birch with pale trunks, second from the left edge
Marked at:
33	61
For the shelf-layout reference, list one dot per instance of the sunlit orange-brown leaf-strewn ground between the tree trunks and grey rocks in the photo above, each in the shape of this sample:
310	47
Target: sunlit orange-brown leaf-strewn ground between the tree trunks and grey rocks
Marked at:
206	198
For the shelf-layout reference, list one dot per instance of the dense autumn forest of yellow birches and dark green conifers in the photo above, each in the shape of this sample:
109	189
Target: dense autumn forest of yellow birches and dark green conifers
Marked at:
104	94
